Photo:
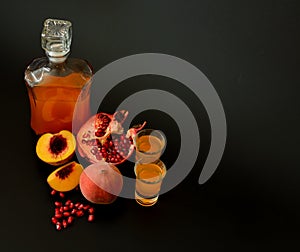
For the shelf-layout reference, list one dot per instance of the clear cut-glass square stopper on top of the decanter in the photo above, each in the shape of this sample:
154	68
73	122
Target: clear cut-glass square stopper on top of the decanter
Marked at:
56	37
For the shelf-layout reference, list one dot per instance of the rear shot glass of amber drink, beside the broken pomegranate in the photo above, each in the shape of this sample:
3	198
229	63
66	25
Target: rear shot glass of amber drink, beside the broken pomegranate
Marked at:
149	144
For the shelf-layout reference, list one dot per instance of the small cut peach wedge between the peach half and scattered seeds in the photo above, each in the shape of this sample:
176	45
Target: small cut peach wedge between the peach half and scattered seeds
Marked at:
65	178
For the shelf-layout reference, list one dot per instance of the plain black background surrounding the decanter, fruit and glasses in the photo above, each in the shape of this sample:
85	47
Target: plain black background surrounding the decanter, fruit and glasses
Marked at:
249	50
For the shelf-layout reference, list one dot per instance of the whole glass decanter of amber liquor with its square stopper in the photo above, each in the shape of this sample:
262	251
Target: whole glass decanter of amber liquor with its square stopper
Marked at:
55	82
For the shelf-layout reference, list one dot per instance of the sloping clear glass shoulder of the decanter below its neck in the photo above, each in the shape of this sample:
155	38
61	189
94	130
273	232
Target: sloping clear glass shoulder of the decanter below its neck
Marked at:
72	72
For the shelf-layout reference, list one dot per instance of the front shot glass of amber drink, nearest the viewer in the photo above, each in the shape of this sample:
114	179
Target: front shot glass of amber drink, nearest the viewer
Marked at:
149	177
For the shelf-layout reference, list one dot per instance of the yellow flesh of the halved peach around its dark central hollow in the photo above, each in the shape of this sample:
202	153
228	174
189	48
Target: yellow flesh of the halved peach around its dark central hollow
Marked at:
44	153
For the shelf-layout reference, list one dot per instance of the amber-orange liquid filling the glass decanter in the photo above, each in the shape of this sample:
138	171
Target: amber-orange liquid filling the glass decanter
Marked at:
53	102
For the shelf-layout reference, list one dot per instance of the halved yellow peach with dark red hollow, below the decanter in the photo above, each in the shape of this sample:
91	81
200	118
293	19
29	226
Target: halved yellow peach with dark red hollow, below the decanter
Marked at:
56	149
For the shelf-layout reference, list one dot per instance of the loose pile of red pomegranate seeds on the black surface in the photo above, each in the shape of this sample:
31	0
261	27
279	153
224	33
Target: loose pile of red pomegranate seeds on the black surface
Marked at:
66	212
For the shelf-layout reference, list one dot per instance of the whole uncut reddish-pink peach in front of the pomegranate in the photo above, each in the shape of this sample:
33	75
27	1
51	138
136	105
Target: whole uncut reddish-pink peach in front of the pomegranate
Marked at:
101	183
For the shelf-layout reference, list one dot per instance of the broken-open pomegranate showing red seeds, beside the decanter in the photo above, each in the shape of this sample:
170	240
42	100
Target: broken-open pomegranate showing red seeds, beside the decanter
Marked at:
102	137
